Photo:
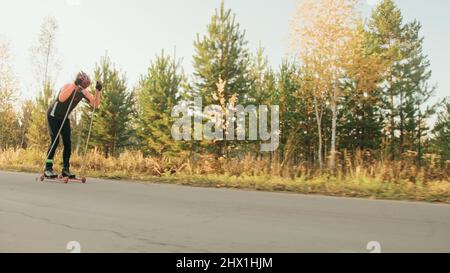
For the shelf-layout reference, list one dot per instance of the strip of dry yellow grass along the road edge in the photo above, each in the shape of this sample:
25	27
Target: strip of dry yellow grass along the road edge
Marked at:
355	178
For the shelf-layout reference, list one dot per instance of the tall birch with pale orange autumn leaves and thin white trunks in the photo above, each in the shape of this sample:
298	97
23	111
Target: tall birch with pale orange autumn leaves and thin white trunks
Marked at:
320	31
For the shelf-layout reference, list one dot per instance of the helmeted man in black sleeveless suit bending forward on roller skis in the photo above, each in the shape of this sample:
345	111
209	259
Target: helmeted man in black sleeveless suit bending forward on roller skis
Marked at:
58	119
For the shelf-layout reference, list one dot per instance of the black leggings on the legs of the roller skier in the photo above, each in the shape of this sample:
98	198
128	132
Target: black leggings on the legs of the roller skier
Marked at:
54	124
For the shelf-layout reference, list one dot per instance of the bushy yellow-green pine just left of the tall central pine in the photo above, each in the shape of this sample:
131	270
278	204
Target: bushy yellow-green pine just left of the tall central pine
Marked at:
158	92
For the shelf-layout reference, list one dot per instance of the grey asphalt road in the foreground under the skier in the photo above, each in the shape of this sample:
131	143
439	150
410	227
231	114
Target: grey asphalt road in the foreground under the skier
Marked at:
114	216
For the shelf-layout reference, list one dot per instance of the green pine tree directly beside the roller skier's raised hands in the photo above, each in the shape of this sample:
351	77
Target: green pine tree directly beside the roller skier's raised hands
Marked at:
112	129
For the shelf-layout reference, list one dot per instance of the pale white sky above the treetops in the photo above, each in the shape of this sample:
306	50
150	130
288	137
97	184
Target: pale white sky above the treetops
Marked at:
132	32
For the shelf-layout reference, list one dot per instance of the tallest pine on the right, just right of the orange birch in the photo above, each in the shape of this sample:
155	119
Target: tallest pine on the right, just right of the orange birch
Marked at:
405	88
